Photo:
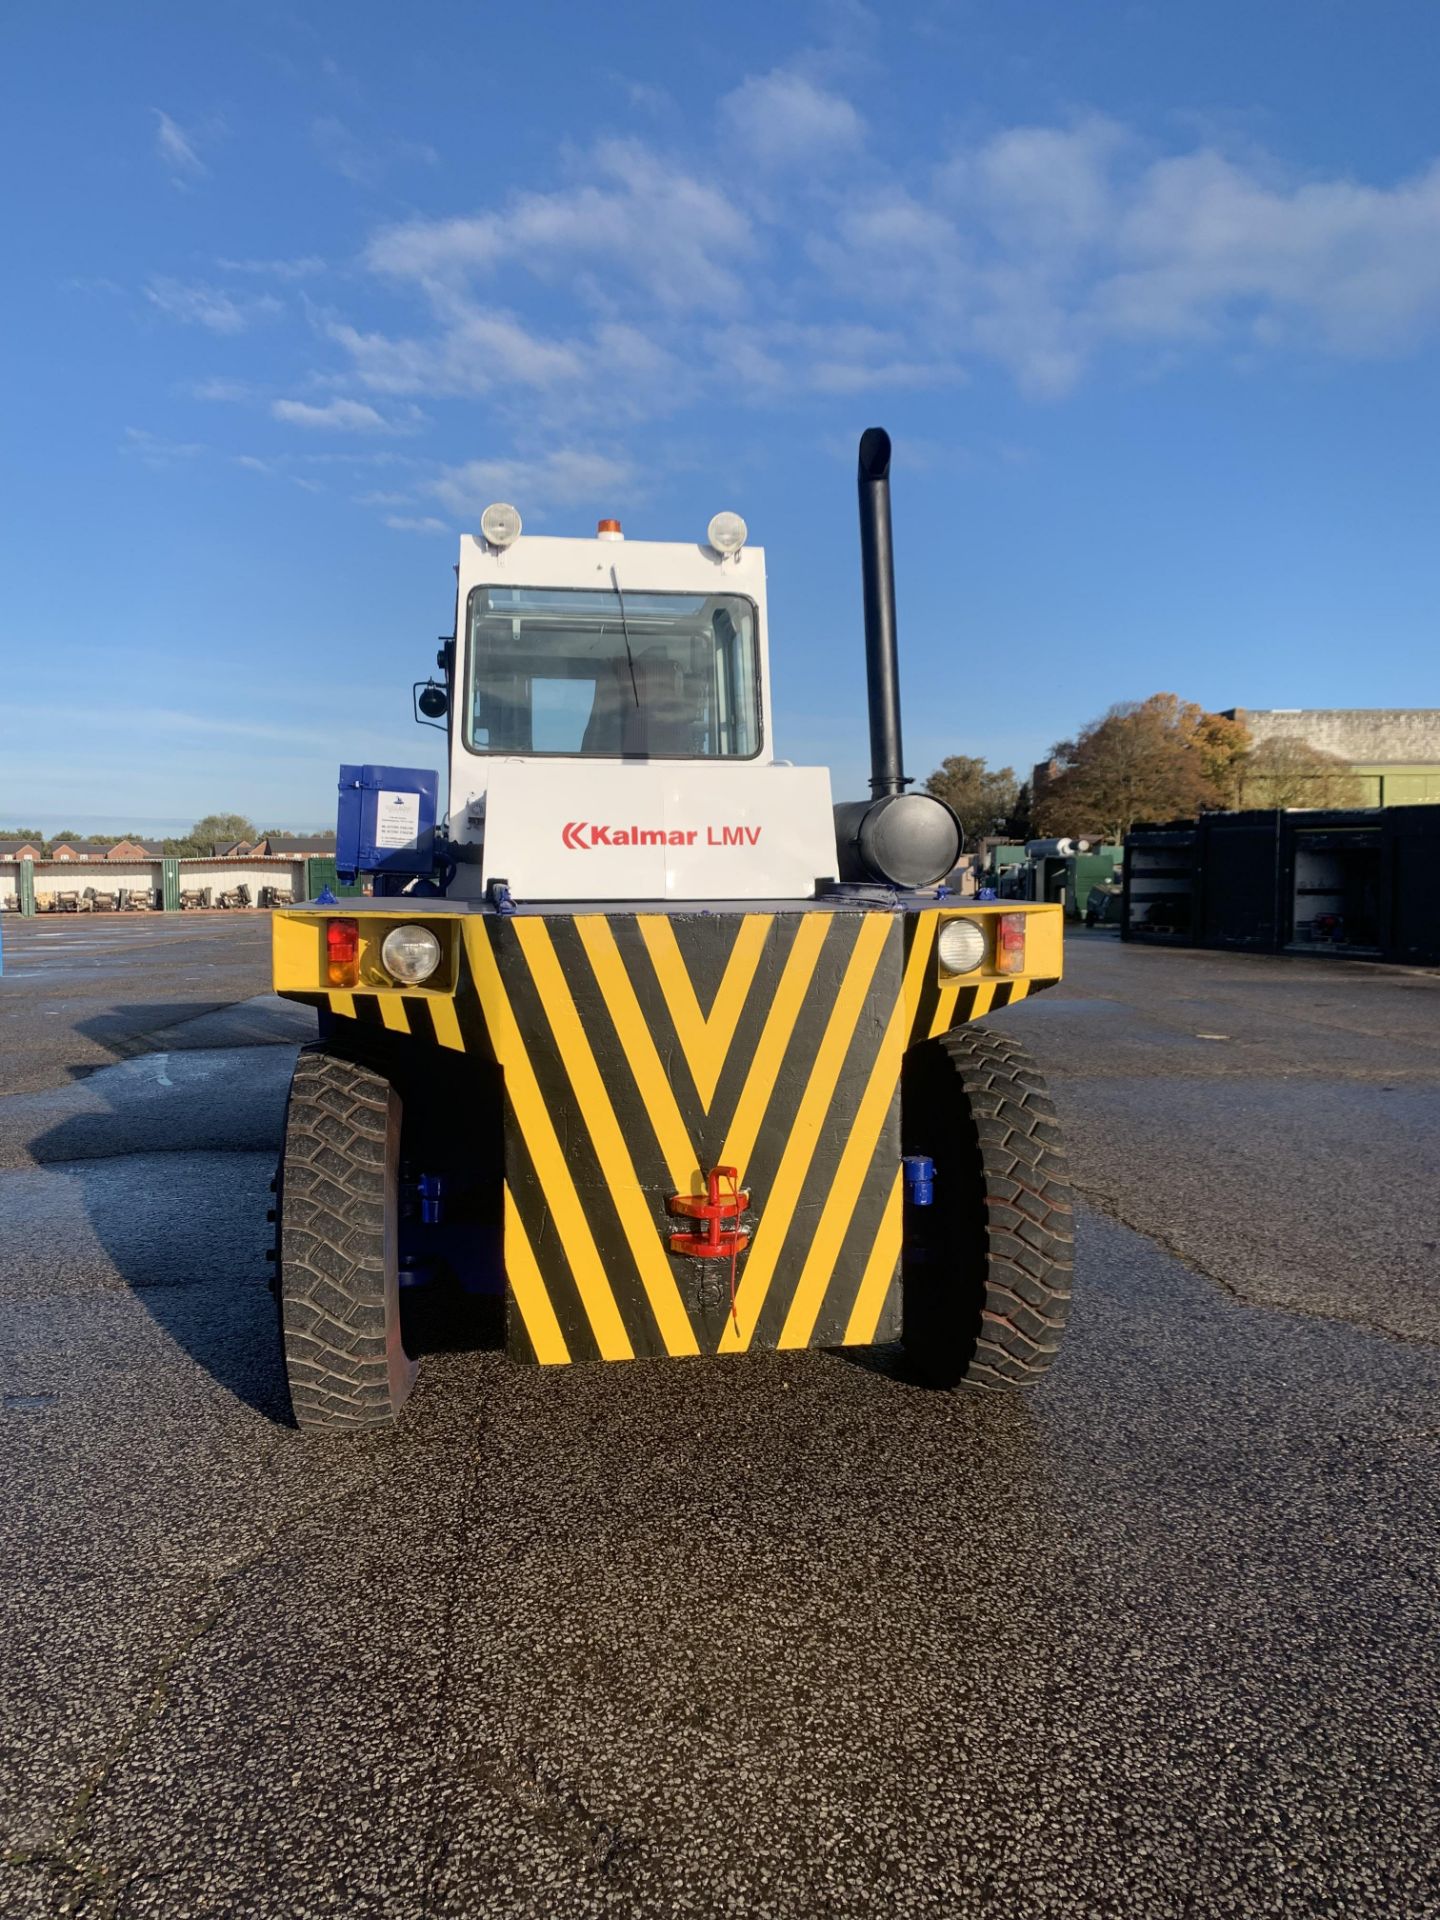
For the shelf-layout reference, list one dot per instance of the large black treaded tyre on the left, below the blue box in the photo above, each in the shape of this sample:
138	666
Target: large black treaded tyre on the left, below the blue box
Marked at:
337	1282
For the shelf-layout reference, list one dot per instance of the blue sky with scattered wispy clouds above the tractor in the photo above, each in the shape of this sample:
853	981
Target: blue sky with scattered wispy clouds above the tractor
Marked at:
1147	295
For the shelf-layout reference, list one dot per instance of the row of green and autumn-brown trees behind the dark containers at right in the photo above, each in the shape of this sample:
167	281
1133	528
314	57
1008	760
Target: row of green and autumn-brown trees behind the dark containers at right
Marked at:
1159	759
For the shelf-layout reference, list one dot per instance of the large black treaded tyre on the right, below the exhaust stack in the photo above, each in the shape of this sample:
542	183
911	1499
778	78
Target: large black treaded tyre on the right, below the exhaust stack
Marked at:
988	1268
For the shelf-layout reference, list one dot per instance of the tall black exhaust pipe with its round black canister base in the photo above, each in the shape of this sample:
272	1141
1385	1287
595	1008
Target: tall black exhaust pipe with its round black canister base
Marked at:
896	838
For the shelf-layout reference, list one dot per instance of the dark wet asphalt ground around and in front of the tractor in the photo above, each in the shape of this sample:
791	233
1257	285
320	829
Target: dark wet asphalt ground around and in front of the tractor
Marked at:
775	1637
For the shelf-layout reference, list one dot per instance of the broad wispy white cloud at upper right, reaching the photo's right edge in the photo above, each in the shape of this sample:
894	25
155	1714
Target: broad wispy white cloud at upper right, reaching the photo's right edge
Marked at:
1047	247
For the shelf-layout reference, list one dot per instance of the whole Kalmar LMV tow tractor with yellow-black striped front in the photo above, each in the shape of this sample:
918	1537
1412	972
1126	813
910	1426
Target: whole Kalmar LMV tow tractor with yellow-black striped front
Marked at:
646	1038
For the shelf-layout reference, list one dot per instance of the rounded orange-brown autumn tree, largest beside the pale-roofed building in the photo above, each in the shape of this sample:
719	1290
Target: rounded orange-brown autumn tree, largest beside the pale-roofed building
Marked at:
1140	761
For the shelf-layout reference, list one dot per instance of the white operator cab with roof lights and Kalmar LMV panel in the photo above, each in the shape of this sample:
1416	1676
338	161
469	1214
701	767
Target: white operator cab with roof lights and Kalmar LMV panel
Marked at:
612	732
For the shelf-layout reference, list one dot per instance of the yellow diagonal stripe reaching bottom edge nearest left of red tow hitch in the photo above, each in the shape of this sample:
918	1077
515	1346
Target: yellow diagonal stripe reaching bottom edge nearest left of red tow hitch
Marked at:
631	1201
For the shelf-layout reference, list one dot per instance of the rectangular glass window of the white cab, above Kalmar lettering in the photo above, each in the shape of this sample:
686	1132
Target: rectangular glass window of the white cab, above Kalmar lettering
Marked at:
587	671
